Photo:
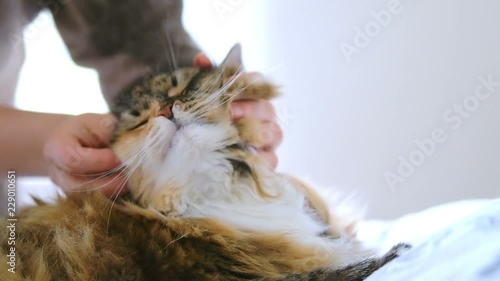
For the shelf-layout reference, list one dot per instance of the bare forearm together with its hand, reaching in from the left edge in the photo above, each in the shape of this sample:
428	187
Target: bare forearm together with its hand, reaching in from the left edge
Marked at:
68	148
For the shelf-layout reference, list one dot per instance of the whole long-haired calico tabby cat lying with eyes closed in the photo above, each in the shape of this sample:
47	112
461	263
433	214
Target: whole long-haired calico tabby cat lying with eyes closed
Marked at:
202	205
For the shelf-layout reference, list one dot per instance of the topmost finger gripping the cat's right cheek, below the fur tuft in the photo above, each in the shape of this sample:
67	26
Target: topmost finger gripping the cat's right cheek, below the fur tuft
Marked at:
258	109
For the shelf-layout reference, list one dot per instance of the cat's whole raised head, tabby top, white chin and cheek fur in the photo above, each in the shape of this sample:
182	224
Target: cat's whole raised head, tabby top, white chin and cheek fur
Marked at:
177	127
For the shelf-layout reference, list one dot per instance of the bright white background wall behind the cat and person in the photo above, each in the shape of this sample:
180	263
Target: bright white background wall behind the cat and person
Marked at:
346	124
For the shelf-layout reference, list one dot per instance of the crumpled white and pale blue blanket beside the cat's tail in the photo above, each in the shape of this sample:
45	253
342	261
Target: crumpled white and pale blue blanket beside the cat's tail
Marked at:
463	248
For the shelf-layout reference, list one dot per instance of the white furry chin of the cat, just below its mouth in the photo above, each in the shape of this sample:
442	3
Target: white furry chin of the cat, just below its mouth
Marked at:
175	154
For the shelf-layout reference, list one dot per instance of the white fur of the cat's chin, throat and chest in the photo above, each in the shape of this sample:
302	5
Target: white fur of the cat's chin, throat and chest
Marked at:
195	163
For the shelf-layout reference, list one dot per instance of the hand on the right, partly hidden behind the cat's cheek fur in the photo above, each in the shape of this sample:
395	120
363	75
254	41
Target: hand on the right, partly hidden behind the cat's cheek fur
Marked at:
263	110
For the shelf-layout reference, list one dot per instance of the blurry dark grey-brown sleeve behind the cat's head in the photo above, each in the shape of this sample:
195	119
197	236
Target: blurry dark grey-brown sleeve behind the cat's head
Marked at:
125	40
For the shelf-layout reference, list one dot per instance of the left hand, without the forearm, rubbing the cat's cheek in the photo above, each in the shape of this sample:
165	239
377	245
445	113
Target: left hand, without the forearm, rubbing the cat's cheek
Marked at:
79	158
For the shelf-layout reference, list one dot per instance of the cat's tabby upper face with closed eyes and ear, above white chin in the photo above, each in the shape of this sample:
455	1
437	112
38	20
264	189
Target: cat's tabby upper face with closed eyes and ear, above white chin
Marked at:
186	96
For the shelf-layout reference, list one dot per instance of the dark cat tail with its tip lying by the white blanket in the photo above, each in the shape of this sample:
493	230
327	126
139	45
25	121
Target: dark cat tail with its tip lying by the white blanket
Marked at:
354	272
